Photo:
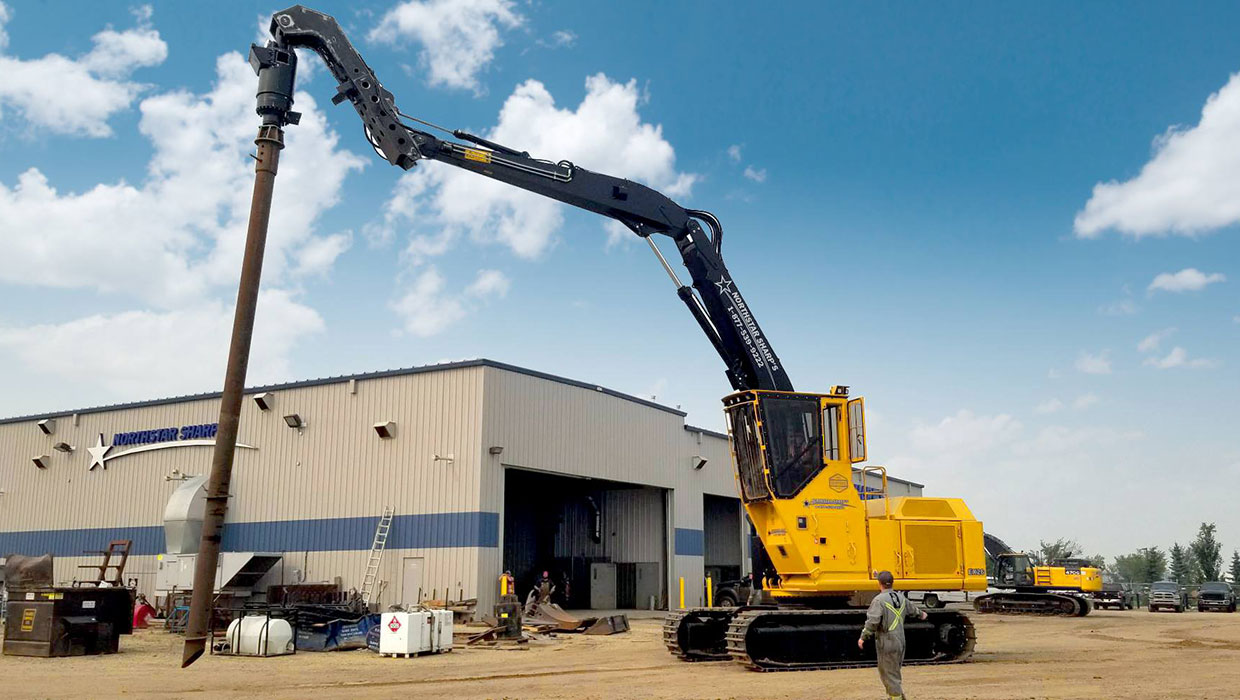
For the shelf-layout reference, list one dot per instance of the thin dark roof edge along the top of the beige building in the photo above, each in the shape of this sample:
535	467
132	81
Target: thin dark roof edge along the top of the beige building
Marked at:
343	378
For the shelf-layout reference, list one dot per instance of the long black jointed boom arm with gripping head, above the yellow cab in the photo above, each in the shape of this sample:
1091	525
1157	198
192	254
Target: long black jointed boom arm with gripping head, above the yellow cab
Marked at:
714	299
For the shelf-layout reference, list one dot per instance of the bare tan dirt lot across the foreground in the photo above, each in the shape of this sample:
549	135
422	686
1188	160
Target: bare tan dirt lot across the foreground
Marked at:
1108	655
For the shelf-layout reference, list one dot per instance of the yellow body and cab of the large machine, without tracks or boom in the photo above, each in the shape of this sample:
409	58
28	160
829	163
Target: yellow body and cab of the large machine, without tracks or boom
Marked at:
823	538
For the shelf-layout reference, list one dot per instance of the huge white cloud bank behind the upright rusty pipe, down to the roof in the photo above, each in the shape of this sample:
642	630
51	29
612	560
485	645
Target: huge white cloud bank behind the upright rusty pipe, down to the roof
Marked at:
174	243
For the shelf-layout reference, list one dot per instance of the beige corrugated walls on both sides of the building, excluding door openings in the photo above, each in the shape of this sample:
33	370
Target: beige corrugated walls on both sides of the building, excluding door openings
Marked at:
317	494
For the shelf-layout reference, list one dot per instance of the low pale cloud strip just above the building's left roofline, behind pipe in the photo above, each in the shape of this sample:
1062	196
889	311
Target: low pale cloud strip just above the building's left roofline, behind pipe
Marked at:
137	355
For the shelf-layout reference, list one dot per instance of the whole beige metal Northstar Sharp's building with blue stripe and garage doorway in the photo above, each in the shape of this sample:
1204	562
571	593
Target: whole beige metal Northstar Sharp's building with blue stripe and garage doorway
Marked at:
487	466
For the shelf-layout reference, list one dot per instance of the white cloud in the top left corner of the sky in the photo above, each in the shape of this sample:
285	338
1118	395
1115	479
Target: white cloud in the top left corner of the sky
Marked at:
79	96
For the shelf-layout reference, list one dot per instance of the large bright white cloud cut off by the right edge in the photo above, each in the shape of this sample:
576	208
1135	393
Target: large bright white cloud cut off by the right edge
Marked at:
1190	184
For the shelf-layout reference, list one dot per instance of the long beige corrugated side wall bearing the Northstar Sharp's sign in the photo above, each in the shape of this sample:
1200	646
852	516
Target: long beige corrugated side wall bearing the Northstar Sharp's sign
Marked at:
333	478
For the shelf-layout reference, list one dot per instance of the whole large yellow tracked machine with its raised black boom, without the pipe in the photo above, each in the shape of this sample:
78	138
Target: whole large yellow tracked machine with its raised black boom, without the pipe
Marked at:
794	452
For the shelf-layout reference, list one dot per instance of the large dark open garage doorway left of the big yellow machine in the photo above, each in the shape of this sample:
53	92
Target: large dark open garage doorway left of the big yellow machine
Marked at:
603	543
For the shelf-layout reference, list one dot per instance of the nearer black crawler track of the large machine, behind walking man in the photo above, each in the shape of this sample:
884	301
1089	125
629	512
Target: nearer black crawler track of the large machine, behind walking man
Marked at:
810	640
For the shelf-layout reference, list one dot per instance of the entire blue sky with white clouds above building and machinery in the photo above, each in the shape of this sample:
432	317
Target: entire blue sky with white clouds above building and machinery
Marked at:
1014	230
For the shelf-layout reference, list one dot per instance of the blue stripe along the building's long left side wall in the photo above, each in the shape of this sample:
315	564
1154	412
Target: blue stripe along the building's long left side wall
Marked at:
423	531
